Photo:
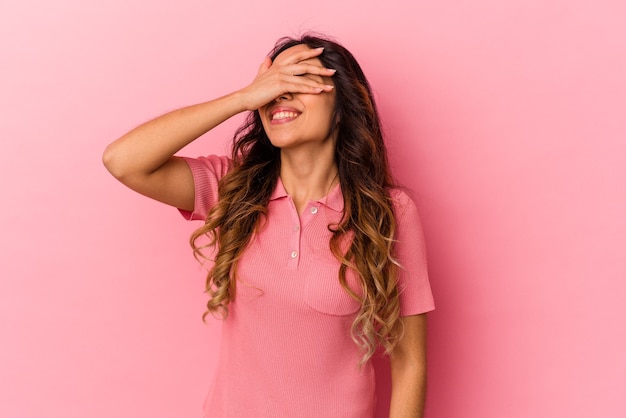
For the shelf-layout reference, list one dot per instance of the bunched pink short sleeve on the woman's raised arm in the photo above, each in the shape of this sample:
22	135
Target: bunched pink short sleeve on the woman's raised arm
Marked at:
207	172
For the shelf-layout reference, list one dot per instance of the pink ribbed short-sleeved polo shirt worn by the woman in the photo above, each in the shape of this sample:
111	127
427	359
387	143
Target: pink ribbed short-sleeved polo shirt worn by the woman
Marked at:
286	349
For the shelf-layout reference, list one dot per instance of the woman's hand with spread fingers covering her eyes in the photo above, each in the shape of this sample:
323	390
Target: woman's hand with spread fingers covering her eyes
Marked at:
283	76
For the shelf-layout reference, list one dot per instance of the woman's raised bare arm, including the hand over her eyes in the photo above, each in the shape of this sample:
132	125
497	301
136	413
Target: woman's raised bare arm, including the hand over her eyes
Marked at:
143	159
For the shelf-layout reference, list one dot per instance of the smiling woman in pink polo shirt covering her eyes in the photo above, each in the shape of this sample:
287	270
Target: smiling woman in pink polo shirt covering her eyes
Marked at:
315	258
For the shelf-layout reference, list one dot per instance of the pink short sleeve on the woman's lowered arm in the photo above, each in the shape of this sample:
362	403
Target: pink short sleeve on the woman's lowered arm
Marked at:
415	293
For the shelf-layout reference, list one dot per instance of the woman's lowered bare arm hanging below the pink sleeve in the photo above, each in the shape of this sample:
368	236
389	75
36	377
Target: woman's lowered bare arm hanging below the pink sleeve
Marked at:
408	370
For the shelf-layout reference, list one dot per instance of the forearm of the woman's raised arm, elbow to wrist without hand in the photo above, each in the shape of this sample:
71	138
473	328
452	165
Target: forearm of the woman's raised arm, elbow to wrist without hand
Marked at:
147	147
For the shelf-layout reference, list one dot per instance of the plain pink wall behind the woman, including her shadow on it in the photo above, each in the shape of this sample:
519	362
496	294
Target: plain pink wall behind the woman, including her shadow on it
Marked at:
508	119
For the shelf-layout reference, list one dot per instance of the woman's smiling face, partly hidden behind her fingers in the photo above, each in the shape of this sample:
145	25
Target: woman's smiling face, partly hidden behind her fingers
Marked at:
297	119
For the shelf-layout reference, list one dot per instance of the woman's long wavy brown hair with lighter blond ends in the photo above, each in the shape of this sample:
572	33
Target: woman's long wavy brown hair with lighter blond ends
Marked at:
368	217
